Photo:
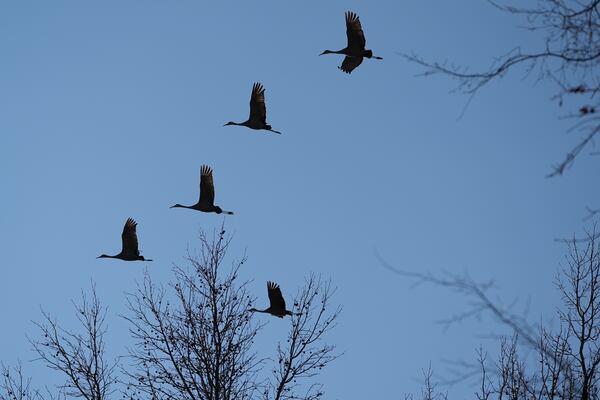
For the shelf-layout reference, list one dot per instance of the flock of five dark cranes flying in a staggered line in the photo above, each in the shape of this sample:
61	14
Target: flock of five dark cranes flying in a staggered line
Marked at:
355	52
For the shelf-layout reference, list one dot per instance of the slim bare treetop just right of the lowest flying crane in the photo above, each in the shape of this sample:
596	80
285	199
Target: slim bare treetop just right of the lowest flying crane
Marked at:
305	353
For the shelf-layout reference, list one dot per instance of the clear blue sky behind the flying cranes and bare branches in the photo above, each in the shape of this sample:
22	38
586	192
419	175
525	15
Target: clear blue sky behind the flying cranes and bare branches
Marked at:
107	111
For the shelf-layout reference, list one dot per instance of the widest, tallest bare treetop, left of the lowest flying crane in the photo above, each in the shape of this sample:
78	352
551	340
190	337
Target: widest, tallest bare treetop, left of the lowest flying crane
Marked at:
199	347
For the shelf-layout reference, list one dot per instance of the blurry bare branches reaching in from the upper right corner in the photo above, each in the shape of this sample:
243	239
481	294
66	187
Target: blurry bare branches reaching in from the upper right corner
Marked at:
570	58
